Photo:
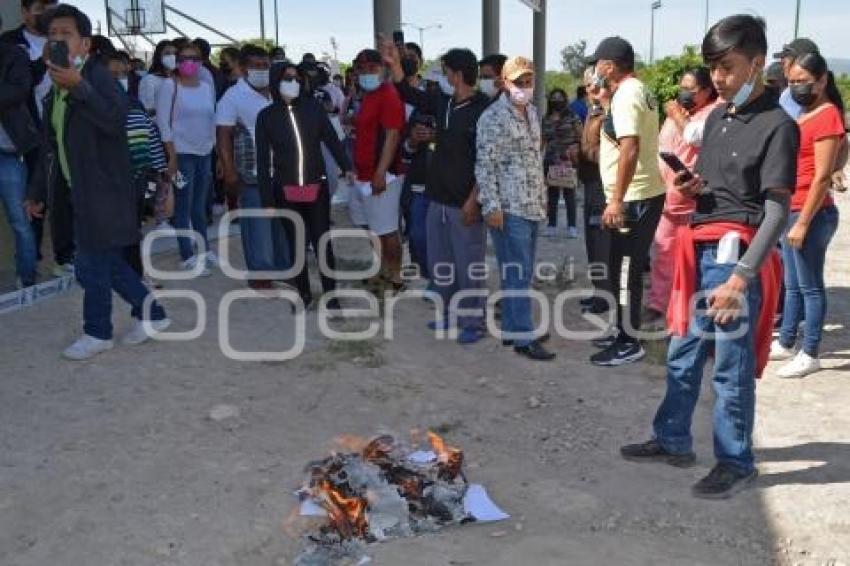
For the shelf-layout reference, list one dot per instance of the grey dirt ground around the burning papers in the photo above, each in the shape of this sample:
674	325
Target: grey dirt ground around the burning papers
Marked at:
118	461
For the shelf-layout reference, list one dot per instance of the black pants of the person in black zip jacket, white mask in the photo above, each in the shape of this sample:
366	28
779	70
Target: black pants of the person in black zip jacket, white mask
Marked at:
316	217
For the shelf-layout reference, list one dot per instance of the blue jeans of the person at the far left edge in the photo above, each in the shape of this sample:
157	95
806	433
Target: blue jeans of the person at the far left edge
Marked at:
13	187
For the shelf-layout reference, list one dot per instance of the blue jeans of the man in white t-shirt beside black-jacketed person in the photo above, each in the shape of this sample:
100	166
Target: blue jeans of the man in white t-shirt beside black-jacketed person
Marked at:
263	239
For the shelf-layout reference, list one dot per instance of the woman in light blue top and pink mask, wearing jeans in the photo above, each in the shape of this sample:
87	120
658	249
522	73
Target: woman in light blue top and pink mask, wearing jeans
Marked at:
185	114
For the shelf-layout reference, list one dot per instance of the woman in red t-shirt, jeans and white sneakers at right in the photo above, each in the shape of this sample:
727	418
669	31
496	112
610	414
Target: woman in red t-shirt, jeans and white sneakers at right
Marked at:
814	216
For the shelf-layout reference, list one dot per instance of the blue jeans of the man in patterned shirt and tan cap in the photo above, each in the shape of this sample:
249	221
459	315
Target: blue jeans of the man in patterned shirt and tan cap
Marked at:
515	245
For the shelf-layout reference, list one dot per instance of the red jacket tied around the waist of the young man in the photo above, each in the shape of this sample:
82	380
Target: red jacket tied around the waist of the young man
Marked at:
685	278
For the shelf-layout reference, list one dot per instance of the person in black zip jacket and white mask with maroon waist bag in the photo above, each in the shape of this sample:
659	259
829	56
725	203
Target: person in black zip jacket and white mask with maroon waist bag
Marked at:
291	169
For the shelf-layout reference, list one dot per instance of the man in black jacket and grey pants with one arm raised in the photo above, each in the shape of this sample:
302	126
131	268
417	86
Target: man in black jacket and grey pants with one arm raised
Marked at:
456	239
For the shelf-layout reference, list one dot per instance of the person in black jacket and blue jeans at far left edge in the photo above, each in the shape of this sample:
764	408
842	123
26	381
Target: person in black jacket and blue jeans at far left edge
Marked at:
18	136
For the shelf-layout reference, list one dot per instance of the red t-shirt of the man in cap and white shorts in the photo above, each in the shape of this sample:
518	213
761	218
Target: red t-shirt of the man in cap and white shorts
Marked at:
380	110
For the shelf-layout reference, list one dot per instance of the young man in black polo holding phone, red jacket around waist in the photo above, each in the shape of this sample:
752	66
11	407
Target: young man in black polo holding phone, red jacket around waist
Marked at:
744	177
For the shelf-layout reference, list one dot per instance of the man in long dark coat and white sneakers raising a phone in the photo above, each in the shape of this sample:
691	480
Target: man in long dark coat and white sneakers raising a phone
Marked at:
88	159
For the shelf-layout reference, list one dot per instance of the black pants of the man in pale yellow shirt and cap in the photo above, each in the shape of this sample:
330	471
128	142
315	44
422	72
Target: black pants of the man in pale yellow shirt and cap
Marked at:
642	218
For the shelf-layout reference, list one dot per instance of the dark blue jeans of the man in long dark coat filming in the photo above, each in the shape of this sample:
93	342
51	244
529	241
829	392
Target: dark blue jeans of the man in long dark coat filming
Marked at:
99	274
